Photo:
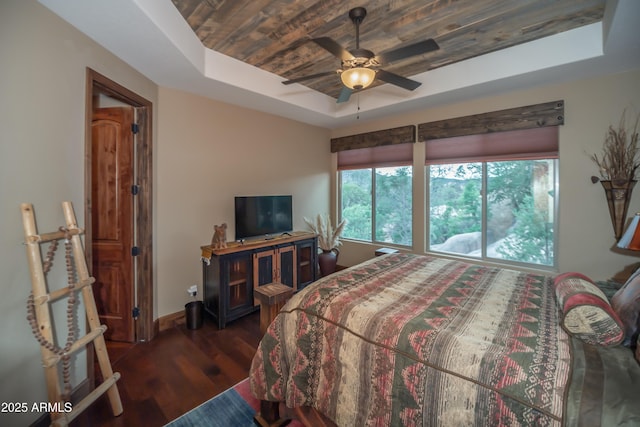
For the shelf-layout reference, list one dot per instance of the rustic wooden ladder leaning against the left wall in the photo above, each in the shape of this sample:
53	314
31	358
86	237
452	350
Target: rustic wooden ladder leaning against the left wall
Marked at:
61	414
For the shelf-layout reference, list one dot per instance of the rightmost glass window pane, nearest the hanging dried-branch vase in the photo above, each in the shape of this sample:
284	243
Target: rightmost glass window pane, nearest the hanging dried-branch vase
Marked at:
521	211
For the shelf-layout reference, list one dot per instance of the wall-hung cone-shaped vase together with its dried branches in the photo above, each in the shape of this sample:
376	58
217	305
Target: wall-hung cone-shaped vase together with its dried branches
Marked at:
618	163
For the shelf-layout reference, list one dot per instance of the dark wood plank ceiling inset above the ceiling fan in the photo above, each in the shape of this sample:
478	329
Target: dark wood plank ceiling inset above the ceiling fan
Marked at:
274	34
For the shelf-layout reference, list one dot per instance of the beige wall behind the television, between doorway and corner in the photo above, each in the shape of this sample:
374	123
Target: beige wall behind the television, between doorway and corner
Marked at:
209	152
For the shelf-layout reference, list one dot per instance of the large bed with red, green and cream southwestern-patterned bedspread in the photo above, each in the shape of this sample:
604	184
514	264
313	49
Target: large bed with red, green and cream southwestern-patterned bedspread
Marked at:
416	340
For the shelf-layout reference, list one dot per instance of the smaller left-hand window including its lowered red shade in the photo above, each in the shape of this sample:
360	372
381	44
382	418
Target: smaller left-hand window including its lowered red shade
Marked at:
376	193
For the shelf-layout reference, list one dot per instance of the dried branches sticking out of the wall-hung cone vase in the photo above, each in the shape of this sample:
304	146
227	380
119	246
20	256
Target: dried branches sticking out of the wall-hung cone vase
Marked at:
620	152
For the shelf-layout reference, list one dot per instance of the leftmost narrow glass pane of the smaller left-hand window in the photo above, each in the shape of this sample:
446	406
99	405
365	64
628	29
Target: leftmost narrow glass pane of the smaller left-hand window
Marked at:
356	203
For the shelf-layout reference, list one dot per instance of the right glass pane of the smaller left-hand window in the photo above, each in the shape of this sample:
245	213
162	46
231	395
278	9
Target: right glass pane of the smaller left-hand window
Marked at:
394	205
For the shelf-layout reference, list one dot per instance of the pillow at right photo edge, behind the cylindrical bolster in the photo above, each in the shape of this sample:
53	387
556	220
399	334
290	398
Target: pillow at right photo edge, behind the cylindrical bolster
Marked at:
626	304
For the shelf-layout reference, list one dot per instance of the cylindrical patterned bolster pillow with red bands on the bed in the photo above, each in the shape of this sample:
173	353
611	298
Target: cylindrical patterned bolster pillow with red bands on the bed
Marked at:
586	312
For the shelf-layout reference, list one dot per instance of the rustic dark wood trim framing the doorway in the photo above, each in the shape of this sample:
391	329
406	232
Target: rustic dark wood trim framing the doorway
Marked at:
97	84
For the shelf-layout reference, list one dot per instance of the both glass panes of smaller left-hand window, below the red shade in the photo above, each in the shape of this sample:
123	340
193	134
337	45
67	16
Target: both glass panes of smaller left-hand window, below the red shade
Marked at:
377	202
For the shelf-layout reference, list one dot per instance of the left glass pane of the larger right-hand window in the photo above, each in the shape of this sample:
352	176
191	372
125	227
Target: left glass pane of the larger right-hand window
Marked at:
455	208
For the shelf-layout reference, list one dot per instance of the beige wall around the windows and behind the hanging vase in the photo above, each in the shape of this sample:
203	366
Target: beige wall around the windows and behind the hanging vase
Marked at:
585	232
